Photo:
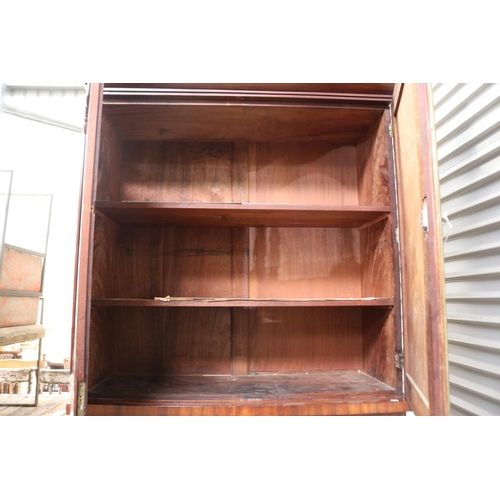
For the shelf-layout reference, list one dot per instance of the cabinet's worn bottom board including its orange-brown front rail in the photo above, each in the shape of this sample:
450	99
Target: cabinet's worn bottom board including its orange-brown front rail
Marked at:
339	393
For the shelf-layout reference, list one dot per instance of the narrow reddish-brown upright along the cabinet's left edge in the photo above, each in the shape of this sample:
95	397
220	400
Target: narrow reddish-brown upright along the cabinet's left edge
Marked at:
81	307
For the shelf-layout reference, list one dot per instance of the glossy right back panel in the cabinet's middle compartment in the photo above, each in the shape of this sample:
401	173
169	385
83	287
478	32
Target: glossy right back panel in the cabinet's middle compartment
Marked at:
304	262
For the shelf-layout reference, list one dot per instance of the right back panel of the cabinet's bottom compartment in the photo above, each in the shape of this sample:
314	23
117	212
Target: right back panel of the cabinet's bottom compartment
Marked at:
301	340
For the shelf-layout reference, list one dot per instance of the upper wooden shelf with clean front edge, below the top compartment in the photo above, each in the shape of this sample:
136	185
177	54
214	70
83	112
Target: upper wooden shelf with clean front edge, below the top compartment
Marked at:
240	214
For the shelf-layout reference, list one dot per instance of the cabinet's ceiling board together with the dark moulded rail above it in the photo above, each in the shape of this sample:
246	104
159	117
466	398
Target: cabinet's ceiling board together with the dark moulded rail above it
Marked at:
337	113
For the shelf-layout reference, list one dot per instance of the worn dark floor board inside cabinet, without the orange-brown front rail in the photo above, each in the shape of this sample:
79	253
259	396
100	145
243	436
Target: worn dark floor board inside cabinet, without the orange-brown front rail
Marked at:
242	390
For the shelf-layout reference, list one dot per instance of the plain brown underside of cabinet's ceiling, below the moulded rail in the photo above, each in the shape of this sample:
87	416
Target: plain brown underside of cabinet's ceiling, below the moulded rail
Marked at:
239	122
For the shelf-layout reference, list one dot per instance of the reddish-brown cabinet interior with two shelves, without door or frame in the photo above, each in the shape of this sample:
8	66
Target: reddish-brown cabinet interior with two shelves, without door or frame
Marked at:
268	232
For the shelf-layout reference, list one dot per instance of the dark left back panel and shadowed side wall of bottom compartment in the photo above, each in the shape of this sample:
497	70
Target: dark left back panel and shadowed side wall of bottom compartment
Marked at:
134	340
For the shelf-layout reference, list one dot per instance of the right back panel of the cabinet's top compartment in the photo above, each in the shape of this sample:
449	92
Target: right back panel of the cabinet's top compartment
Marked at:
311	173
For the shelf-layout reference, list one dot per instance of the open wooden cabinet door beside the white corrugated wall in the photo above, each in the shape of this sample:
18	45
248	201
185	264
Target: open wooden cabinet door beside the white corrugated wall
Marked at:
425	360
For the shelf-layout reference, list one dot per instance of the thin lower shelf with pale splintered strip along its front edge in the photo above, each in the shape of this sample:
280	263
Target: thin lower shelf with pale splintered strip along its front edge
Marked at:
244	302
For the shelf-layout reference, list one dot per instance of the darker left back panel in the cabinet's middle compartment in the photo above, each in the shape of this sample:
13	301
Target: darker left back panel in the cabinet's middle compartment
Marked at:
156	261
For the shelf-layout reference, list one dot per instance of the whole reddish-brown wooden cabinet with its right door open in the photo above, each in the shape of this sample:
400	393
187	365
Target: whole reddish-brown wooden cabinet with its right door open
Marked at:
259	250
